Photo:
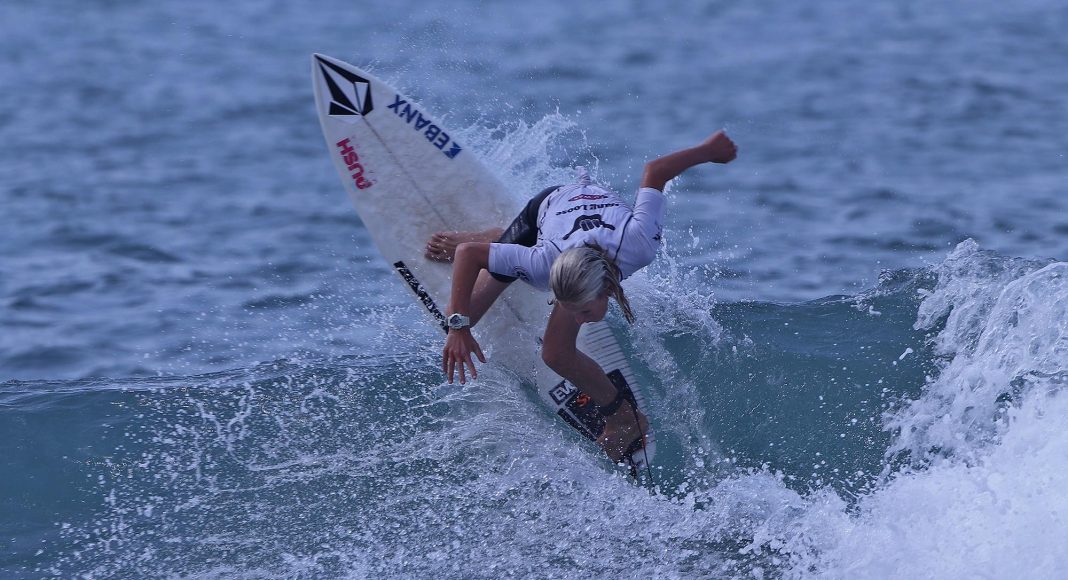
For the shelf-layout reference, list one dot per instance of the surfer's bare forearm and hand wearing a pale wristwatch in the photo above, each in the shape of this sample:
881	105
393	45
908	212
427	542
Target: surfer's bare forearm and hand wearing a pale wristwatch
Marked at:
472	259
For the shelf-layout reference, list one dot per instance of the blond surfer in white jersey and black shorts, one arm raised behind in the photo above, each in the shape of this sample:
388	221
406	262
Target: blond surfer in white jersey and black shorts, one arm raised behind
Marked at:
579	242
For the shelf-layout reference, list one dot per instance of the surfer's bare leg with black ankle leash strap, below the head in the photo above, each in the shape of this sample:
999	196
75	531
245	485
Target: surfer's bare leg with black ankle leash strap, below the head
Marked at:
560	352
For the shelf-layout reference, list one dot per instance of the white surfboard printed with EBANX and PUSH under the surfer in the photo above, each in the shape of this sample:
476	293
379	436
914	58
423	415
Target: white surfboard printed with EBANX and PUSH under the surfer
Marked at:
410	178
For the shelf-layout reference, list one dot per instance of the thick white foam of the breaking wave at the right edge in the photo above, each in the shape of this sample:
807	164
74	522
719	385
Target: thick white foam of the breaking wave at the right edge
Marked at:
987	497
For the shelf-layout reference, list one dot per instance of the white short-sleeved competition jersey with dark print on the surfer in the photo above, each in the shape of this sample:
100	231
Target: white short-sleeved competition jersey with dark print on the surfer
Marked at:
586	213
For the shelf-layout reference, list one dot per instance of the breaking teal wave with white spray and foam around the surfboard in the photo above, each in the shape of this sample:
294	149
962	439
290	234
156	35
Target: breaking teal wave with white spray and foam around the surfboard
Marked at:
914	430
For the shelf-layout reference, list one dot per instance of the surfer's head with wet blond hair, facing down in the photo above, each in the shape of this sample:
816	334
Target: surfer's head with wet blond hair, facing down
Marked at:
583	279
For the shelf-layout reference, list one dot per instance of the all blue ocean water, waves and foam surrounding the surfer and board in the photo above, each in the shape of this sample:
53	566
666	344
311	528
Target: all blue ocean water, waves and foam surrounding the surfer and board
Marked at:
856	337
